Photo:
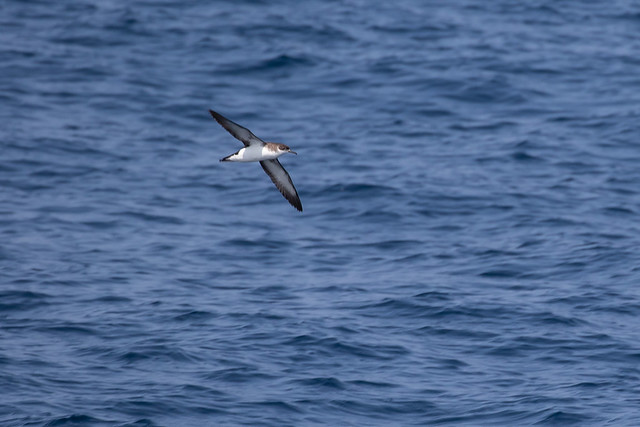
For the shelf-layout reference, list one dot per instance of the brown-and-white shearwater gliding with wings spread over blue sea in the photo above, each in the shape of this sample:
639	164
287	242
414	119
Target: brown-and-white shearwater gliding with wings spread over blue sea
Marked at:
267	153
